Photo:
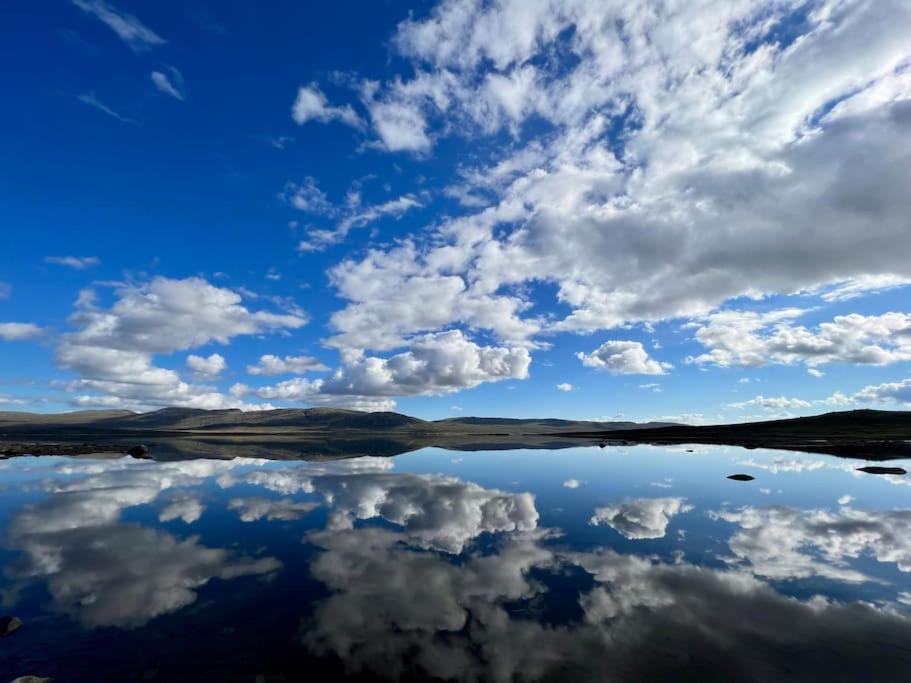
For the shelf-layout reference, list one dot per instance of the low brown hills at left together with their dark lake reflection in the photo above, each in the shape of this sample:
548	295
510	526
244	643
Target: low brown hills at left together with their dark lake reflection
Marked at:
284	434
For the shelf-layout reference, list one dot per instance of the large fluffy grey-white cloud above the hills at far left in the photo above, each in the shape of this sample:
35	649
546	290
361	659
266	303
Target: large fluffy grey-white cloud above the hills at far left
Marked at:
112	349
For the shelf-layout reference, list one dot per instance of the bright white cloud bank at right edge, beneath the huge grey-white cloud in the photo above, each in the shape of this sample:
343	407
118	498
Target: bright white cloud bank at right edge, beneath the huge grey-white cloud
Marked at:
744	338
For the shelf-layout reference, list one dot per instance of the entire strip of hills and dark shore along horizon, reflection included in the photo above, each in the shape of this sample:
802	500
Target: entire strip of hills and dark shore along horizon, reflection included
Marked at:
326	433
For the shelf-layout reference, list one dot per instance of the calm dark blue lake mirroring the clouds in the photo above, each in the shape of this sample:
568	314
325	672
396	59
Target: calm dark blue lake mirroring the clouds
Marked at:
630	564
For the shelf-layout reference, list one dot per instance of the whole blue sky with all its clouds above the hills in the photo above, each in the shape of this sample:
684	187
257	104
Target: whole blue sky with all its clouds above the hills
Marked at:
566	208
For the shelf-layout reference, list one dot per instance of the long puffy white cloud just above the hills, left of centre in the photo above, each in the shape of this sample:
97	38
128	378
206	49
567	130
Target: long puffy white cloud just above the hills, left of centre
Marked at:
434	364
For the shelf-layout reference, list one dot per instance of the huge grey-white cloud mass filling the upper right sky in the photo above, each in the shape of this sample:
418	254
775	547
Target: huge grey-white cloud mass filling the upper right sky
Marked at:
615	202
